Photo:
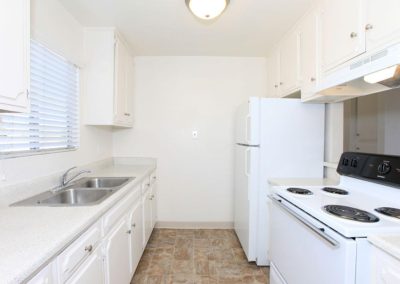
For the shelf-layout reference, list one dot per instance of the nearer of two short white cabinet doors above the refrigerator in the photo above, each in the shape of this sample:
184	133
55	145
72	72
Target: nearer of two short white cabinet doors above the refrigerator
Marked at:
289	65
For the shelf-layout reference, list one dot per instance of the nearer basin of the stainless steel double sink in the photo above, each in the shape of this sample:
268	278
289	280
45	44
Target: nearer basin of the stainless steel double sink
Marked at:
76	197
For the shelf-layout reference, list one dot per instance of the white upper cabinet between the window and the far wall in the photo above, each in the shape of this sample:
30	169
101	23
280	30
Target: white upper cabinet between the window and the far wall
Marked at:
109	79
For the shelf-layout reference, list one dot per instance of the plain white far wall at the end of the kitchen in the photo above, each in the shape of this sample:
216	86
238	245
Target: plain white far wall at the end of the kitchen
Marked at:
173	96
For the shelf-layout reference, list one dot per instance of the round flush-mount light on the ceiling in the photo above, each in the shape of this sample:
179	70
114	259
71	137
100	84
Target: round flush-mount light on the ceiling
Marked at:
207	9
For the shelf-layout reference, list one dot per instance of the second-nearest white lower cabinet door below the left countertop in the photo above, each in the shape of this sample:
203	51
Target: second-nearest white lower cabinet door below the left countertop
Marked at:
117	254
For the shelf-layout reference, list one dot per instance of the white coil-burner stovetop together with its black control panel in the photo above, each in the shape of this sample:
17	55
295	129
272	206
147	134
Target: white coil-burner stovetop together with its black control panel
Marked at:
366	201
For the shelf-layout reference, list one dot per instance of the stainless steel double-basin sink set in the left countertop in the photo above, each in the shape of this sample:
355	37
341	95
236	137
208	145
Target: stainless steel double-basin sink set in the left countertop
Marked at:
84	192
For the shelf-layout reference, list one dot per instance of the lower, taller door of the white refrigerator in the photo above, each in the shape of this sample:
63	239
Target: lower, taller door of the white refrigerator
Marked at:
245	187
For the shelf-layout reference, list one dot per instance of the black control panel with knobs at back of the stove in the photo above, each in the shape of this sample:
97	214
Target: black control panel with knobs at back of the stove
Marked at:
378	168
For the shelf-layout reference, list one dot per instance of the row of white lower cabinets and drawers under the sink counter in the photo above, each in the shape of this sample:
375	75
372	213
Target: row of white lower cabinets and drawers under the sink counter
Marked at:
110	250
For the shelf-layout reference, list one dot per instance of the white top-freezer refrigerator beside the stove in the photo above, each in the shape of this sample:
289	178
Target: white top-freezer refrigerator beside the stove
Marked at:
275	138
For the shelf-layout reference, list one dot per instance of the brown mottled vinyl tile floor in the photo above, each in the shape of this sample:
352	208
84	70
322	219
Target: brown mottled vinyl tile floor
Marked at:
196	257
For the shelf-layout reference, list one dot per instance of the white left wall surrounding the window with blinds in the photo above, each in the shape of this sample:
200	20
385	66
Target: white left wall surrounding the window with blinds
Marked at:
61	32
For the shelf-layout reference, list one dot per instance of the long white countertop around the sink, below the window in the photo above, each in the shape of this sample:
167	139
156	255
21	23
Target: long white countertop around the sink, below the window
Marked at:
31	236
